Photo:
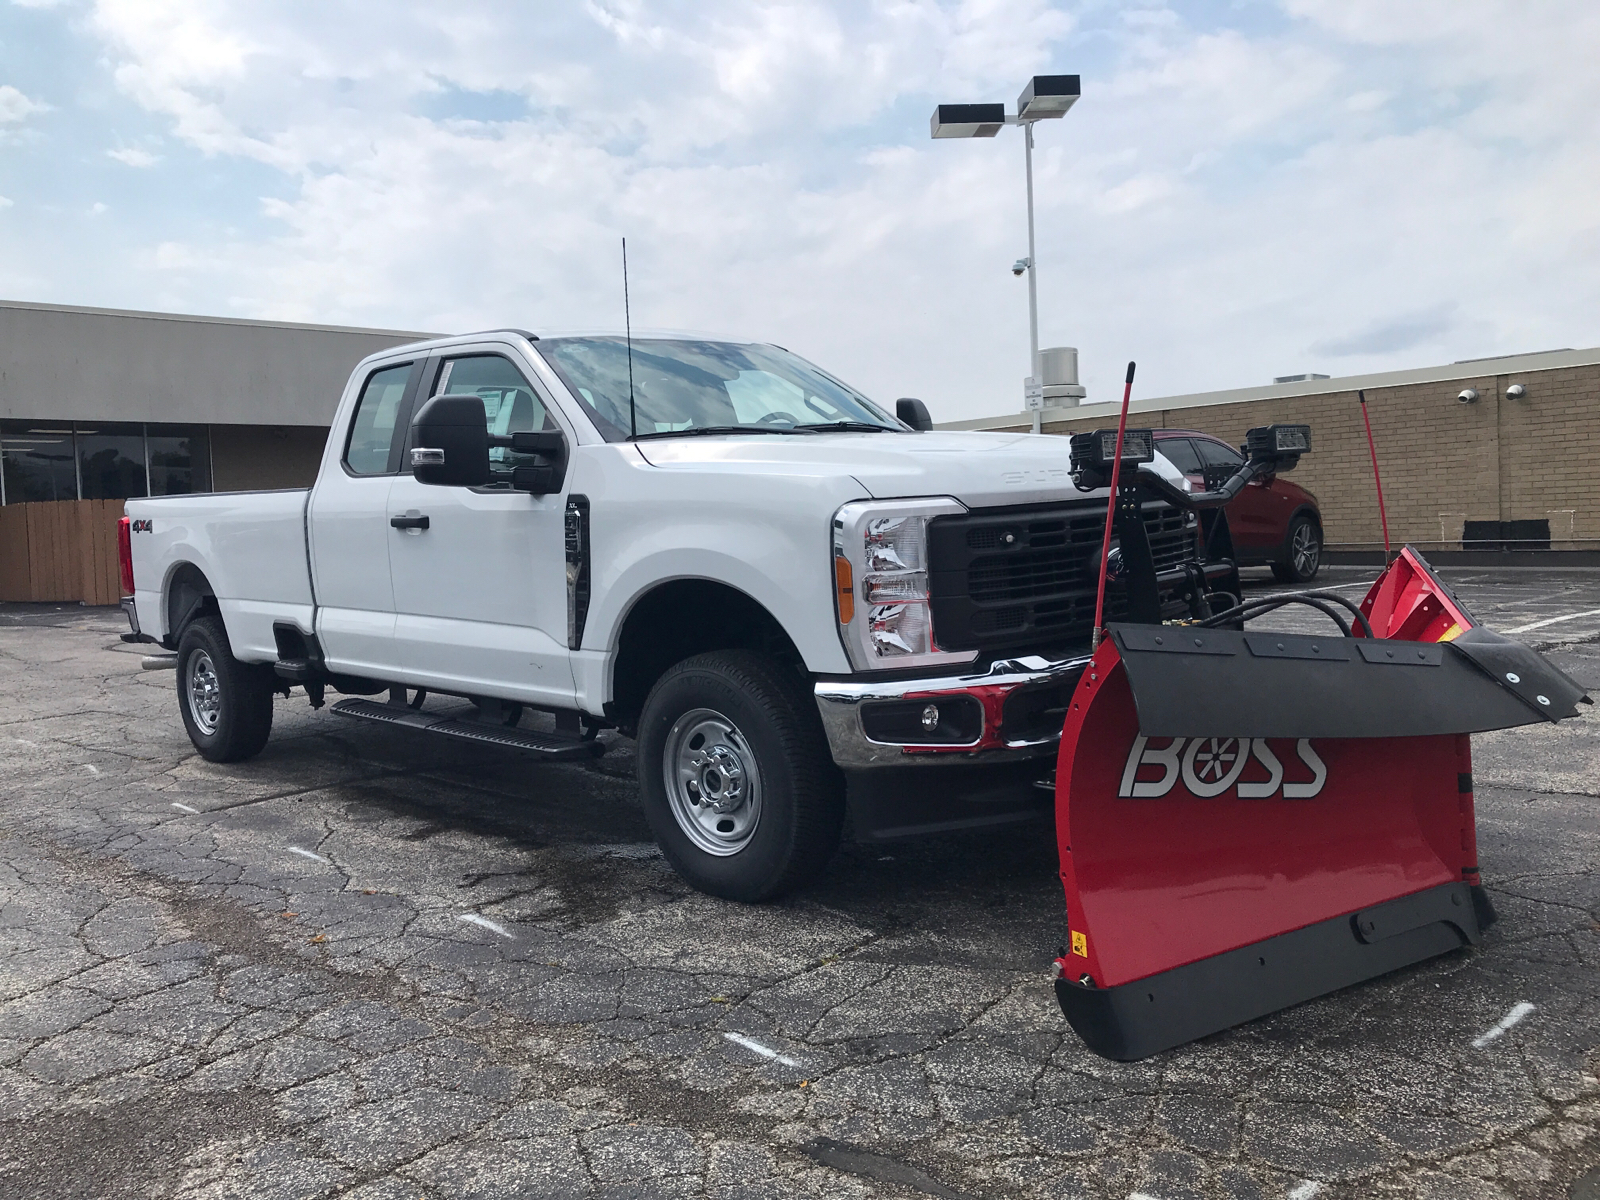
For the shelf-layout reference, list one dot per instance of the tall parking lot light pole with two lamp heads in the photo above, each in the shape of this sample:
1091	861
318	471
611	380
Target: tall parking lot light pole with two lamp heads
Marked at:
1054	375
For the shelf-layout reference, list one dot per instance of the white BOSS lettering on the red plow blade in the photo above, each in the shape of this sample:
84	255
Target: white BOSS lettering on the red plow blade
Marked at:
1212	766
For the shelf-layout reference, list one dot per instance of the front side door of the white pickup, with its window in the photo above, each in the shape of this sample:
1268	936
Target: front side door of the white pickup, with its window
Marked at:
481	593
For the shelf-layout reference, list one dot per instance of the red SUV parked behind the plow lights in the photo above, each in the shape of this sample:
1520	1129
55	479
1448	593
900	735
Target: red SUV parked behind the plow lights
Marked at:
1271	521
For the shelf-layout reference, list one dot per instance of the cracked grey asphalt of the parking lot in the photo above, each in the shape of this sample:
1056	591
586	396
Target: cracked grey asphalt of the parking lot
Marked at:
262	982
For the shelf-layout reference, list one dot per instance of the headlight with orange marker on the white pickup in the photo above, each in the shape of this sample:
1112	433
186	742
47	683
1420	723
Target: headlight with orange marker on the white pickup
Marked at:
881	577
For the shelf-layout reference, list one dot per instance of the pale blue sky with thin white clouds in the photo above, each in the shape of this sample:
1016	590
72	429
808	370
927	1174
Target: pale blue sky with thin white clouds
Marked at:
1246	190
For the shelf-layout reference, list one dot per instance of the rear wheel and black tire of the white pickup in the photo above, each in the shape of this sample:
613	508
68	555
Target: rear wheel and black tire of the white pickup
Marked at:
226	703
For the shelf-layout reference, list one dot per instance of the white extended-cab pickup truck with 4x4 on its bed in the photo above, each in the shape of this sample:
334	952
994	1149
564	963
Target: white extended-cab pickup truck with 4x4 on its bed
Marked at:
801	606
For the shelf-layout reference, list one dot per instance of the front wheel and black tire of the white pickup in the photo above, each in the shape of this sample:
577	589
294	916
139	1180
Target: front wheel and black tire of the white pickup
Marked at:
756	722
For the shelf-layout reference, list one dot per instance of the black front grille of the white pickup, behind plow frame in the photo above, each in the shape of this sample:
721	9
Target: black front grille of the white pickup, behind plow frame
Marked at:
1004	580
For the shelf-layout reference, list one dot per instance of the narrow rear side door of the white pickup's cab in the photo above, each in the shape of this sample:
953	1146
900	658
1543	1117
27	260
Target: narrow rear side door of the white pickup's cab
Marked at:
348	532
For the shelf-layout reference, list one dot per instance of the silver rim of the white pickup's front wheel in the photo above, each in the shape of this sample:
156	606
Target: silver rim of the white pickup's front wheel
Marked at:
714	783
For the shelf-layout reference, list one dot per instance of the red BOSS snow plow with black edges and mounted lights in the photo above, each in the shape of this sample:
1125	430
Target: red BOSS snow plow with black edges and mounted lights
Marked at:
1250	818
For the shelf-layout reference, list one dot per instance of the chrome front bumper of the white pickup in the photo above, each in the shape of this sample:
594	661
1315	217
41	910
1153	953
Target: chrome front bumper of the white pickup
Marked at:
841	703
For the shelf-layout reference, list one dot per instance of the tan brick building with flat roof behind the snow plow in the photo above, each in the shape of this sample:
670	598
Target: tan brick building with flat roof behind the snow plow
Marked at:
1502	471
